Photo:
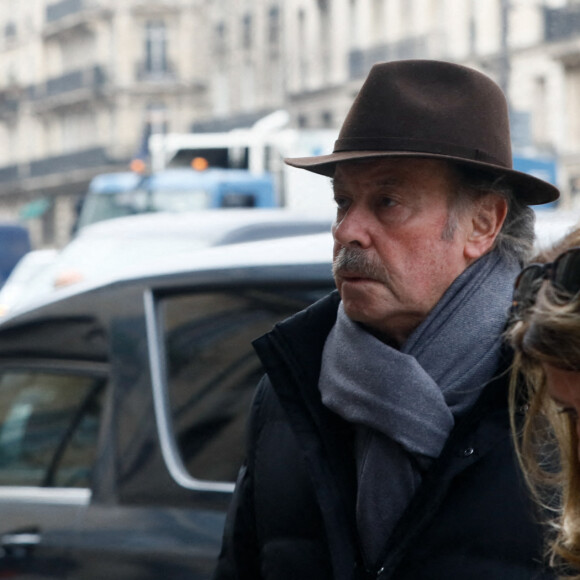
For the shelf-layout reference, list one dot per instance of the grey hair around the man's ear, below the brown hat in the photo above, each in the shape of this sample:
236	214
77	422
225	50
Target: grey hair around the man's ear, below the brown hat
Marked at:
515	241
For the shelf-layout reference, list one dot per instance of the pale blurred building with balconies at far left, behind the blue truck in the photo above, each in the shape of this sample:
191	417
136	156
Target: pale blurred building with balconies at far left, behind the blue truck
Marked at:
82	85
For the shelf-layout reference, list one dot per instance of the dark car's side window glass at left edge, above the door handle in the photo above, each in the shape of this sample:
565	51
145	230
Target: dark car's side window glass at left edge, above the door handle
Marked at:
49	426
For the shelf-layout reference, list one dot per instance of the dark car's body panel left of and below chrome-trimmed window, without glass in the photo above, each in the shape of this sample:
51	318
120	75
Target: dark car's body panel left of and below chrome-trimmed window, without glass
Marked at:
141	523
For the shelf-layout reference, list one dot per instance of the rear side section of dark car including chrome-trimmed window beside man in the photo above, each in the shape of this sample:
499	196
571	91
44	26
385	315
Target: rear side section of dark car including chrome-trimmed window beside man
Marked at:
184	375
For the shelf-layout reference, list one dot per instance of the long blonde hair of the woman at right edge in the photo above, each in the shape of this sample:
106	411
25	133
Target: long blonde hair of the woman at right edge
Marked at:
546	440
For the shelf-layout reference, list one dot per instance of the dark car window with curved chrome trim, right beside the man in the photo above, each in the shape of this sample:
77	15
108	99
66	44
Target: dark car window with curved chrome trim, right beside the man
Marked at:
212	370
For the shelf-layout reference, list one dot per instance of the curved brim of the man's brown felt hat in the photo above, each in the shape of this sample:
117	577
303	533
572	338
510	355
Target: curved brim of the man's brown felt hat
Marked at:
527	188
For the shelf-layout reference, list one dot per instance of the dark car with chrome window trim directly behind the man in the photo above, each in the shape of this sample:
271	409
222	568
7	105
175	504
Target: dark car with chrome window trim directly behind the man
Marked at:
122	411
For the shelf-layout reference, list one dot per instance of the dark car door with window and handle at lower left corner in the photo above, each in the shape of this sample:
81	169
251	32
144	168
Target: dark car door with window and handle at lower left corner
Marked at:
50	414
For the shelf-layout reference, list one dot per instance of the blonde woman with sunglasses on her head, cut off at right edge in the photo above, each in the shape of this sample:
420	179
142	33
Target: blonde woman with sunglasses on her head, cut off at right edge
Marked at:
545	394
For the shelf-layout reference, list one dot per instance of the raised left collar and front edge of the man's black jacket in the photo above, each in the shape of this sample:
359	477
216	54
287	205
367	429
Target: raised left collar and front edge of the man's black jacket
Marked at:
291	355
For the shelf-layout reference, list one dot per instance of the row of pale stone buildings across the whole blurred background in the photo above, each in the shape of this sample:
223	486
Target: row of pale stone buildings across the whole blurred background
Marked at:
83	83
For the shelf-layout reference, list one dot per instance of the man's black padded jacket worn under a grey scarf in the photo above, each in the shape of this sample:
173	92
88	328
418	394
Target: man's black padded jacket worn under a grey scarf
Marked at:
292	514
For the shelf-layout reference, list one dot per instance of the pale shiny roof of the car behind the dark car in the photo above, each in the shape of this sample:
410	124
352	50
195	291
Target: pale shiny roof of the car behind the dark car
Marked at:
105	248
